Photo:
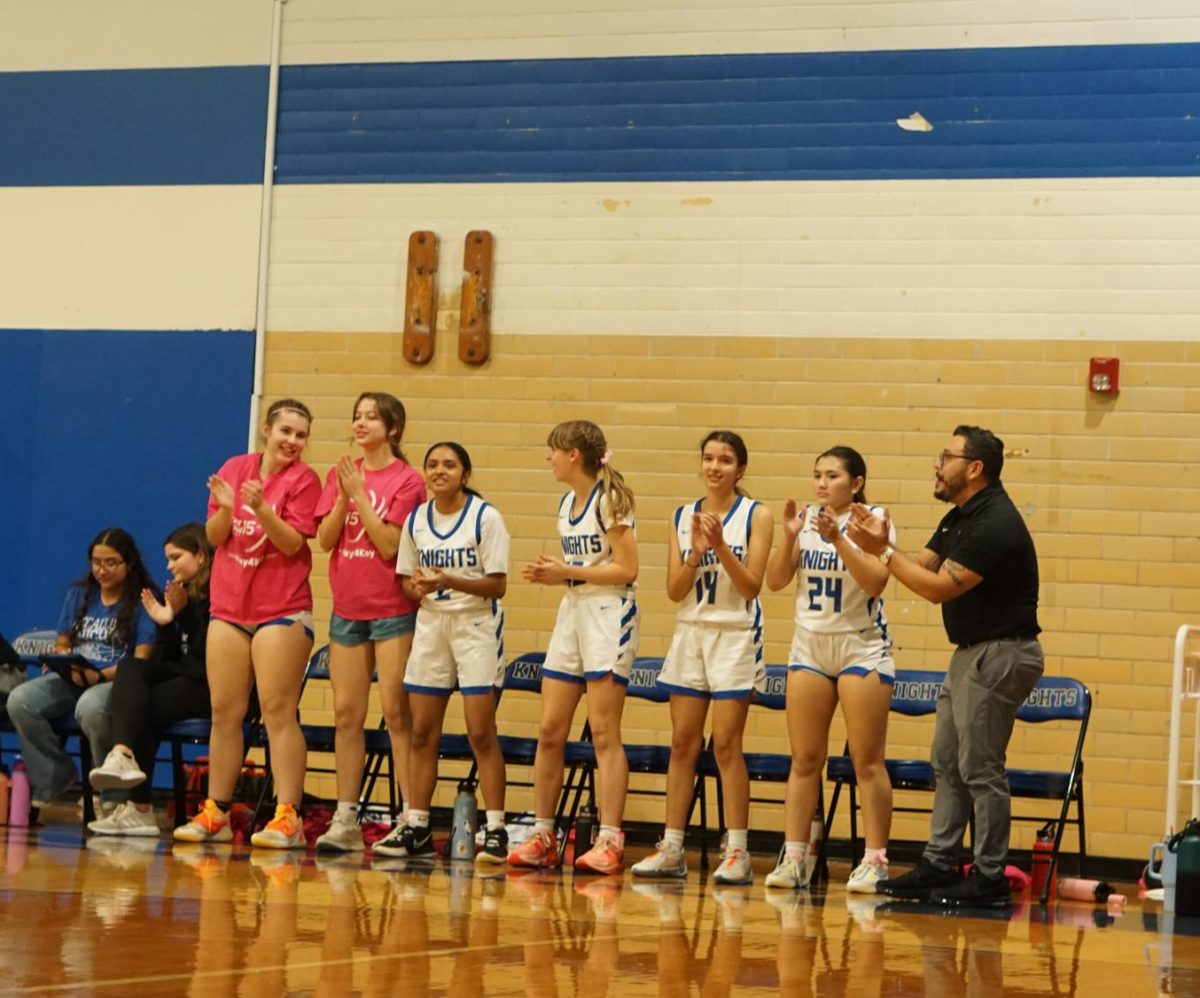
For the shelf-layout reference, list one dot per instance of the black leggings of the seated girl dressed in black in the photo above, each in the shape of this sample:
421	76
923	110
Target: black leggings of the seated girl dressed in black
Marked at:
149	696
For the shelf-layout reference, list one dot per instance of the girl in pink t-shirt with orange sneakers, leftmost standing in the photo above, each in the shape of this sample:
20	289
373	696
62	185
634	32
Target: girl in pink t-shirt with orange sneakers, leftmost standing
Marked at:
262	512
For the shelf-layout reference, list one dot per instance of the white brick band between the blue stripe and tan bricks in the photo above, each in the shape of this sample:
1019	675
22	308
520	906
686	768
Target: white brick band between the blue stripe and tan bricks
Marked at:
1107	260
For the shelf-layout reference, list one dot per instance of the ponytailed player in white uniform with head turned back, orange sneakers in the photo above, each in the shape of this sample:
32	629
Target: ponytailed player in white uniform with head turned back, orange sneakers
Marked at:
595	641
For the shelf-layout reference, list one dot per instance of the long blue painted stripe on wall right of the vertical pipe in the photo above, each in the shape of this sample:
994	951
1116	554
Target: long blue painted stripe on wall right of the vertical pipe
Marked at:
1087	111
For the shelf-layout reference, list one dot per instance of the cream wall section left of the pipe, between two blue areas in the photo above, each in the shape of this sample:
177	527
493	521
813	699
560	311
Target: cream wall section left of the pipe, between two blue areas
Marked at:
129	257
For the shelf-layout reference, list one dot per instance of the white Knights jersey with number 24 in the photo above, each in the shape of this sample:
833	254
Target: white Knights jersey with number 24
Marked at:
827	598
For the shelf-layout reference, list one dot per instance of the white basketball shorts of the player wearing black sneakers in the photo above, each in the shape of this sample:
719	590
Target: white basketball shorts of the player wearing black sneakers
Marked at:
449	650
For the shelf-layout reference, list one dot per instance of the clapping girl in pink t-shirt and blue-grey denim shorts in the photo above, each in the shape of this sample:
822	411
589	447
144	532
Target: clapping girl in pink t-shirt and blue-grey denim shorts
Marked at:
362	512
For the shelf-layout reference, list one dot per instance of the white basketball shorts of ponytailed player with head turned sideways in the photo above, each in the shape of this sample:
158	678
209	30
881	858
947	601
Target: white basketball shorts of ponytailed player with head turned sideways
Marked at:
595	635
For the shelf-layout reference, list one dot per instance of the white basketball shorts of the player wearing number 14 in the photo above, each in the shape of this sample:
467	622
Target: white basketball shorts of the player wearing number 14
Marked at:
713	662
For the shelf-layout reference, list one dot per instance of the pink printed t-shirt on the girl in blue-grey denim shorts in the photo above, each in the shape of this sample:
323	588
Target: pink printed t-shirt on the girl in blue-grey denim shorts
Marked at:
365	585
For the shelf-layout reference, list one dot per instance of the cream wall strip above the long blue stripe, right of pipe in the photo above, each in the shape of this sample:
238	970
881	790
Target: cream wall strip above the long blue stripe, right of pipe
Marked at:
386	32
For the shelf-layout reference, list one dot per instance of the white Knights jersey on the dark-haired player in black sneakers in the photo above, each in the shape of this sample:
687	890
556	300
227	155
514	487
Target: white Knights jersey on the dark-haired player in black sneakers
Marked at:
471	544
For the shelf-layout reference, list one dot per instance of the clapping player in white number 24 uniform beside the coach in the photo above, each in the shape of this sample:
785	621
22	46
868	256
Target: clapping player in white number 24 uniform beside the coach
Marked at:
842	652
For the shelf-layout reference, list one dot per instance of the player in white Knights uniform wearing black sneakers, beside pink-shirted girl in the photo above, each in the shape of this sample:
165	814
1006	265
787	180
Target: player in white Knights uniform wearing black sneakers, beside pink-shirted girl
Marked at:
454	557
